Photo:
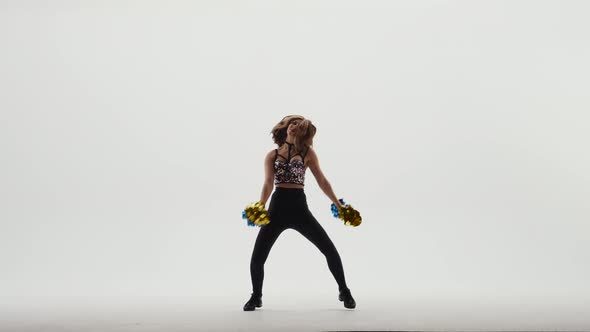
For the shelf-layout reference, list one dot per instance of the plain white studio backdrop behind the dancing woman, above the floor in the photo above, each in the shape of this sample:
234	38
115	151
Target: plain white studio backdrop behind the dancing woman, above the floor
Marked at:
133	134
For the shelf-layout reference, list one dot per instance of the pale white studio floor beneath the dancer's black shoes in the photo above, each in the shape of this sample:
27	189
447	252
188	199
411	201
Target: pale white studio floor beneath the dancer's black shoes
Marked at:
285	313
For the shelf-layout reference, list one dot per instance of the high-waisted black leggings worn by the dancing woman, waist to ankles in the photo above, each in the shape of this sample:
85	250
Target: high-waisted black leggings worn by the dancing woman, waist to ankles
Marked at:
288	209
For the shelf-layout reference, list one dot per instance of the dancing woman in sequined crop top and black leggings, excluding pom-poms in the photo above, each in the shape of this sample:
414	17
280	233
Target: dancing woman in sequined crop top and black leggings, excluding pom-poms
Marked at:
288	206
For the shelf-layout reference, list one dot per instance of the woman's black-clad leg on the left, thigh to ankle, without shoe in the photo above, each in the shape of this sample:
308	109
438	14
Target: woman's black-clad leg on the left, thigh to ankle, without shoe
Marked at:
267	236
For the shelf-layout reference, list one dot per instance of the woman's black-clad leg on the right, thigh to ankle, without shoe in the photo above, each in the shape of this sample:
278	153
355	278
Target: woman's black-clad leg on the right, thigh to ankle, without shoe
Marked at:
314	232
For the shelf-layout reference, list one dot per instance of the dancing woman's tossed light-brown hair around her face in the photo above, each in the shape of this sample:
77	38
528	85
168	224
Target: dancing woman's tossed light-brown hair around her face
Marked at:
303	135
